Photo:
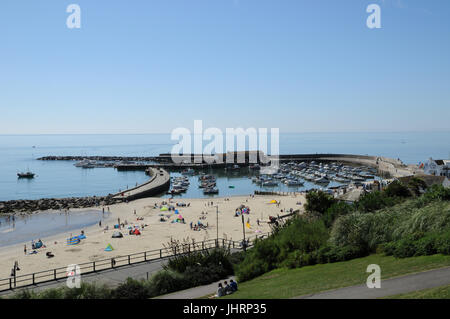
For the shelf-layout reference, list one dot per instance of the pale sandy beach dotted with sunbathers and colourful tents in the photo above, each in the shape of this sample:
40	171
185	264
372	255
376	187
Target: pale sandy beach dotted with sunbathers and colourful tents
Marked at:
154	235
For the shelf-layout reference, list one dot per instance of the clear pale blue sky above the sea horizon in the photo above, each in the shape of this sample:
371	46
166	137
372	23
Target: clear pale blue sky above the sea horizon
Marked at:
148	66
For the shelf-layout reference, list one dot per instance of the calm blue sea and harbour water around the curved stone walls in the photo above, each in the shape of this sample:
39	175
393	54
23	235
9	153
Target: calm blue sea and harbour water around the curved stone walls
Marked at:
62	179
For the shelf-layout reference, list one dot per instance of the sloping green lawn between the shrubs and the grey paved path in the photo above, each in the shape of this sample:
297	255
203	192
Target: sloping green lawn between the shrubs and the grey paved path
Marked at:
289	283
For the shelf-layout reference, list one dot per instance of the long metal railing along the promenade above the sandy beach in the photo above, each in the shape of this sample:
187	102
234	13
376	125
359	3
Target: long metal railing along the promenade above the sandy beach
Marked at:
56	274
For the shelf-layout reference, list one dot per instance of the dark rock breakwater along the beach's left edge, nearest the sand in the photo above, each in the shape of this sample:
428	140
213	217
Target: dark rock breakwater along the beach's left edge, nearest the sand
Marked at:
15	206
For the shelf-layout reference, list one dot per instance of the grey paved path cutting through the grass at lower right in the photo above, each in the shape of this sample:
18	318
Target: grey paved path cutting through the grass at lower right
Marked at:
389	287
